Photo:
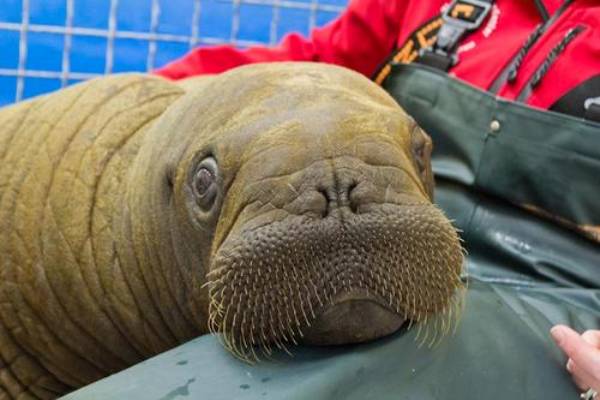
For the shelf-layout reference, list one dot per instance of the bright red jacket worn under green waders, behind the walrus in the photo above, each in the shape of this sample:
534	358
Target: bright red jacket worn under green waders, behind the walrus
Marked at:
369	30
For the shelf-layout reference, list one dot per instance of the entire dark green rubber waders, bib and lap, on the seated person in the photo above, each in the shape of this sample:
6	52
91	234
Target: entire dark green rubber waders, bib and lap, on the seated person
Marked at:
526	271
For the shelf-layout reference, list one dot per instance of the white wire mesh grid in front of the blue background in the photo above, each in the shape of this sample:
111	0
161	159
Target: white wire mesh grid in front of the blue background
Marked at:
152	36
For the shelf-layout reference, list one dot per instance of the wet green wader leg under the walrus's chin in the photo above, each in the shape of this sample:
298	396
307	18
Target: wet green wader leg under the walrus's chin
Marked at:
501	350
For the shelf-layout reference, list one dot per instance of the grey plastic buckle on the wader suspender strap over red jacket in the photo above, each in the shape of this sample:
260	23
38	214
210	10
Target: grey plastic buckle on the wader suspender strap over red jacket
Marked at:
460	18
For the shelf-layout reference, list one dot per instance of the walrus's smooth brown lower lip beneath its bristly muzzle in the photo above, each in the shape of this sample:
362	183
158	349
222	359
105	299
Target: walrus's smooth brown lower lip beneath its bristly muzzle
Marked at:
353	318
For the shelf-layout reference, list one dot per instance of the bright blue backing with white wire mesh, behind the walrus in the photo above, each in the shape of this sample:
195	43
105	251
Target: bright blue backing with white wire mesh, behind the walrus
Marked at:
48	44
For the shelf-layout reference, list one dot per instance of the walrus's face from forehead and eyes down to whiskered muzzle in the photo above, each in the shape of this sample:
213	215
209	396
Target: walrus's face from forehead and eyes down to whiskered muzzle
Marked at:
317	192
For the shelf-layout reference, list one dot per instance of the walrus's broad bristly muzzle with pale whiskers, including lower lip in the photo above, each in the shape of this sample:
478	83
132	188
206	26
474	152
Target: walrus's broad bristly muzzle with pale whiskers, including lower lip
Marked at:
344	278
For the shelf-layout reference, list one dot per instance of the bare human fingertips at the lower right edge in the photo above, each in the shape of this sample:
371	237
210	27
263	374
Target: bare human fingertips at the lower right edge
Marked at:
584	355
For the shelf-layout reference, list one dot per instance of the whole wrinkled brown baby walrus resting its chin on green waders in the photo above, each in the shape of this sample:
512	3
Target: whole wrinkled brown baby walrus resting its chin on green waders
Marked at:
275	204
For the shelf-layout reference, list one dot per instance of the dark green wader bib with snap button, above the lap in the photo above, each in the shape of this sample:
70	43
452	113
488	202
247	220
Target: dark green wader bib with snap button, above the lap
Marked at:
519	182
